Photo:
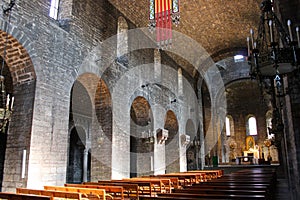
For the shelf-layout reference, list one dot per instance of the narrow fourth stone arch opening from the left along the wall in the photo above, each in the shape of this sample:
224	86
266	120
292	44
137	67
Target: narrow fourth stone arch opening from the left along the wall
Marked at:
172	143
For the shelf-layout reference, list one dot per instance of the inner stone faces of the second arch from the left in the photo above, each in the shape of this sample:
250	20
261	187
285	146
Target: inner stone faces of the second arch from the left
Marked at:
91	108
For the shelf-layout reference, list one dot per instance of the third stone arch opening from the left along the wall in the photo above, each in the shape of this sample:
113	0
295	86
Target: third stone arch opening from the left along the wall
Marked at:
141	137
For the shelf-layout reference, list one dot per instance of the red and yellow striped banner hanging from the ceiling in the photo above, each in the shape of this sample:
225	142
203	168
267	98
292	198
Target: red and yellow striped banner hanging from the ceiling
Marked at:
161	16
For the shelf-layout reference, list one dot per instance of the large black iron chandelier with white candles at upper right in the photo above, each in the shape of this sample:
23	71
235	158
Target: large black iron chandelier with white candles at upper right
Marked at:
273	54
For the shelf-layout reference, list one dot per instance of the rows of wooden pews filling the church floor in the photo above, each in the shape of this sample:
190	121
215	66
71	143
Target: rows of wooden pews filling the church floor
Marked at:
247	183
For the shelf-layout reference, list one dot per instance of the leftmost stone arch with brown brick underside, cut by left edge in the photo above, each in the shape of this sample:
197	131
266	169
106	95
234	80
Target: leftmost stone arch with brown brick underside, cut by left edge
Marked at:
20	79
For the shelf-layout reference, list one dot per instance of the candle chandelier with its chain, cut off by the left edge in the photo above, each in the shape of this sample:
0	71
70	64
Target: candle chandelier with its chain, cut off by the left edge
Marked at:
6	101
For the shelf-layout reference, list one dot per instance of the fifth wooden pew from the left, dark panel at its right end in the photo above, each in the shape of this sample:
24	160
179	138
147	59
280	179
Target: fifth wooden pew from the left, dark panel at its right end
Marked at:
130	190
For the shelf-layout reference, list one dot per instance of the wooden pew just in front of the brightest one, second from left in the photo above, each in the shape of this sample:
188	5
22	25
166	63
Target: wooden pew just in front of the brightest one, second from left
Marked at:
52	194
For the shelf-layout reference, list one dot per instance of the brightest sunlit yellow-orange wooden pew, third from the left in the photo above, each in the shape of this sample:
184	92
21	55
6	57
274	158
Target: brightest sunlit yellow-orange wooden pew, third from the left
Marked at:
86	192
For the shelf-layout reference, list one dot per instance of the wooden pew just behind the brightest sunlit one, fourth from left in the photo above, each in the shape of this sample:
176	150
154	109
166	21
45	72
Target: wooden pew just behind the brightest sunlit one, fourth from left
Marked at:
115	191
